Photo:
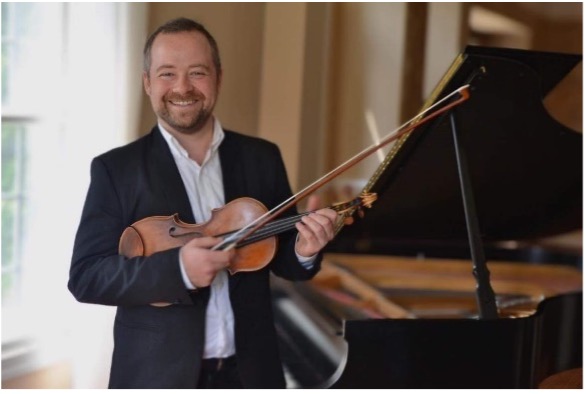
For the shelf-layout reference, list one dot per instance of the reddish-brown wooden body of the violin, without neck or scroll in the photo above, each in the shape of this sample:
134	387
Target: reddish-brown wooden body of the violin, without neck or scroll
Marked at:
158	233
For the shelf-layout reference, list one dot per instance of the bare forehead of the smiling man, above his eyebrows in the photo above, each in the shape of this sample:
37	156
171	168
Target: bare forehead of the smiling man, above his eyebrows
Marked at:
179	48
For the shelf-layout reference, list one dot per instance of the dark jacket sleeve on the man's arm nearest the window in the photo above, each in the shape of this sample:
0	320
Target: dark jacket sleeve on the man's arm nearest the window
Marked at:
98	274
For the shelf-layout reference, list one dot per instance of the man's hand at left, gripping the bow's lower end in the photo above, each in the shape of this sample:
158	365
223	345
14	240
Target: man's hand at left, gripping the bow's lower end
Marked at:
201	264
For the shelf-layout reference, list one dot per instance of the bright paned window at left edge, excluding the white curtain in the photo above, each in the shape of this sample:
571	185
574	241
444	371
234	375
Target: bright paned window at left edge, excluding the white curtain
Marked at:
22	24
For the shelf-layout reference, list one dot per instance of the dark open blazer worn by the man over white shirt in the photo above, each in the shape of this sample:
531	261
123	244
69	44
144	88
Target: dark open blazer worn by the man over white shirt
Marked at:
162	347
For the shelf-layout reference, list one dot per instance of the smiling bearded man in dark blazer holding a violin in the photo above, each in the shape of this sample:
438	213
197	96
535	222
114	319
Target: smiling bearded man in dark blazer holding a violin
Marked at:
218	331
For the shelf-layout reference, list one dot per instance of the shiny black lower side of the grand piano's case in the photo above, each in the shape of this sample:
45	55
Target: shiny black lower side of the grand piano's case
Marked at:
465	353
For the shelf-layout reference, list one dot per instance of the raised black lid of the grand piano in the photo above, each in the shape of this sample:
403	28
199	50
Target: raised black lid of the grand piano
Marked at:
525	167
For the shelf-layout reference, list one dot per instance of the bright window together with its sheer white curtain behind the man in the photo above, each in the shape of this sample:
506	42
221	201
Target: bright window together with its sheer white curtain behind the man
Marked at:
71	90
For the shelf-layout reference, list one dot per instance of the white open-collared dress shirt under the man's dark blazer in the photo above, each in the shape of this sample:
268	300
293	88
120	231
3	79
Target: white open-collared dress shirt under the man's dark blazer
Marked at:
205	191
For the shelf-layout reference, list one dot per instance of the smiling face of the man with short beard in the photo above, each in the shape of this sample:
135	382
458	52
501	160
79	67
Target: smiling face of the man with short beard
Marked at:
182	83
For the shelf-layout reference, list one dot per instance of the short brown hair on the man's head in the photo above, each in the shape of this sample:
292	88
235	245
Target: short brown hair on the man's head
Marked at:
177	26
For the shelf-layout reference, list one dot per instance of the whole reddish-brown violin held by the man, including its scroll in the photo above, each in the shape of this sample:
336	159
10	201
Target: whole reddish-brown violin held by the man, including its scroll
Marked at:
157	233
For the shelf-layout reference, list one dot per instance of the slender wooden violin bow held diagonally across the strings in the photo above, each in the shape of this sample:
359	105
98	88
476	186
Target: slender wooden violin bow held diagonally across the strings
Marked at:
232	240
